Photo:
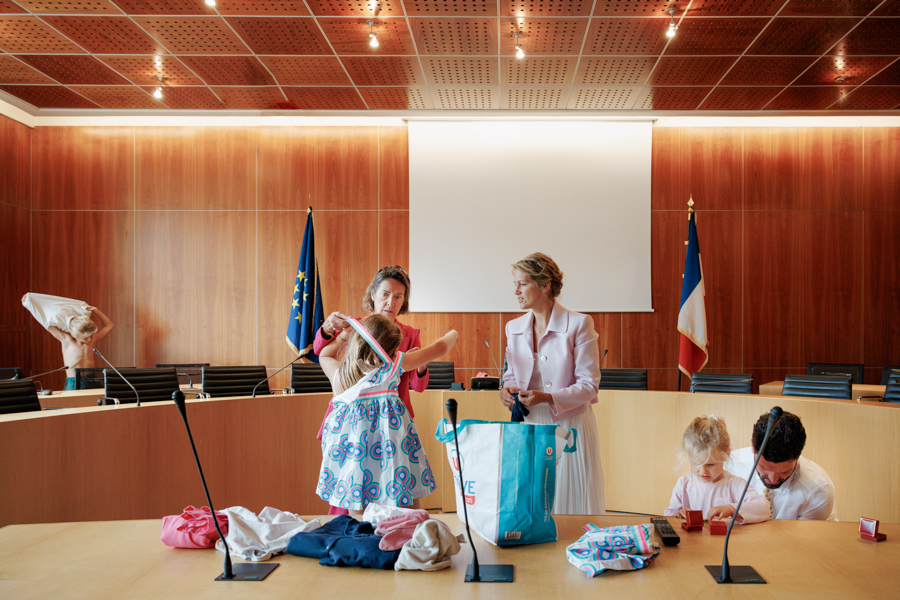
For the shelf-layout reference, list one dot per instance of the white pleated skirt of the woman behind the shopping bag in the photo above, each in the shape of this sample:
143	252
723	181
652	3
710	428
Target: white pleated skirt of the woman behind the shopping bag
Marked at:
579	475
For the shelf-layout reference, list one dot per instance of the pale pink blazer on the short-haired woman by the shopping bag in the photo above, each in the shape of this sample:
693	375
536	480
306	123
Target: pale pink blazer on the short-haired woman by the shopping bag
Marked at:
569	355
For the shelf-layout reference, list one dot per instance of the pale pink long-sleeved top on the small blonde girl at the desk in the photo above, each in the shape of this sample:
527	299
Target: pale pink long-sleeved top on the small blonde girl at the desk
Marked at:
692	494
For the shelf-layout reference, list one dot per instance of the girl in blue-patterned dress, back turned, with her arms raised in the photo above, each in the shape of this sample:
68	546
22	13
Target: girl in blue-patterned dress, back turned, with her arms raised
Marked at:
371	450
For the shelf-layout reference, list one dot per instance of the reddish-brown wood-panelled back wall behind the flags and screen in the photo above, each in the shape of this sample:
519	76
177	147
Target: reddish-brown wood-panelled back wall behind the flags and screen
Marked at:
189	239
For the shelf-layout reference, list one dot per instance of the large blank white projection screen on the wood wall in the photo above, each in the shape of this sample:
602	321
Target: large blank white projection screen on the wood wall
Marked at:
484	194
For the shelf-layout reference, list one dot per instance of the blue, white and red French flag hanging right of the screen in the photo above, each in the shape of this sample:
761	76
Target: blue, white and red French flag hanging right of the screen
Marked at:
693	351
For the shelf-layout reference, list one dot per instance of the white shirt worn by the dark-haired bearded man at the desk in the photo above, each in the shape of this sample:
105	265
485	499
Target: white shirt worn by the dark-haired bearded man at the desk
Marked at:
808	494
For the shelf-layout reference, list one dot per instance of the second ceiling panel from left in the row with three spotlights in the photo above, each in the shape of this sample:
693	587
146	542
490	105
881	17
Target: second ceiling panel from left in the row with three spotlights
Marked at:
106	35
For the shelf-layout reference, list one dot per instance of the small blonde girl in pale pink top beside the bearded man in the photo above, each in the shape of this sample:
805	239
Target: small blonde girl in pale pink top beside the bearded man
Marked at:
709	487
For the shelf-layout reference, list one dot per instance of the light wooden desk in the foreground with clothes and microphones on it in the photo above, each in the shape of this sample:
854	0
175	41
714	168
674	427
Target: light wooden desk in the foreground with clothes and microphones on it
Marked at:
125	559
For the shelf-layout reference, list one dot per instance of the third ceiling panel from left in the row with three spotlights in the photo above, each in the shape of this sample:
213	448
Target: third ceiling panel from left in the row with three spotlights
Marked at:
193	35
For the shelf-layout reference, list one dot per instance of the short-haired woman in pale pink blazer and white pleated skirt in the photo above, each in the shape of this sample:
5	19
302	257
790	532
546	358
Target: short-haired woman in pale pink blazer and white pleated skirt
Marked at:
554	365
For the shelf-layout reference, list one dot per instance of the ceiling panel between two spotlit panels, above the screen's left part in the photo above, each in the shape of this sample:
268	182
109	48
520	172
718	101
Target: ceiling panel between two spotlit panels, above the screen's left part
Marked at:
455	36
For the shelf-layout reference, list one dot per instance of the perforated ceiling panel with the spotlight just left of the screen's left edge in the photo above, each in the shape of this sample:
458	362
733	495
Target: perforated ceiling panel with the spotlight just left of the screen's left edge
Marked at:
351	36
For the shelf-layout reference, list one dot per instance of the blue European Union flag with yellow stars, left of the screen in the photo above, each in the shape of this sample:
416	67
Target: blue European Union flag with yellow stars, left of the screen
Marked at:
307	314
